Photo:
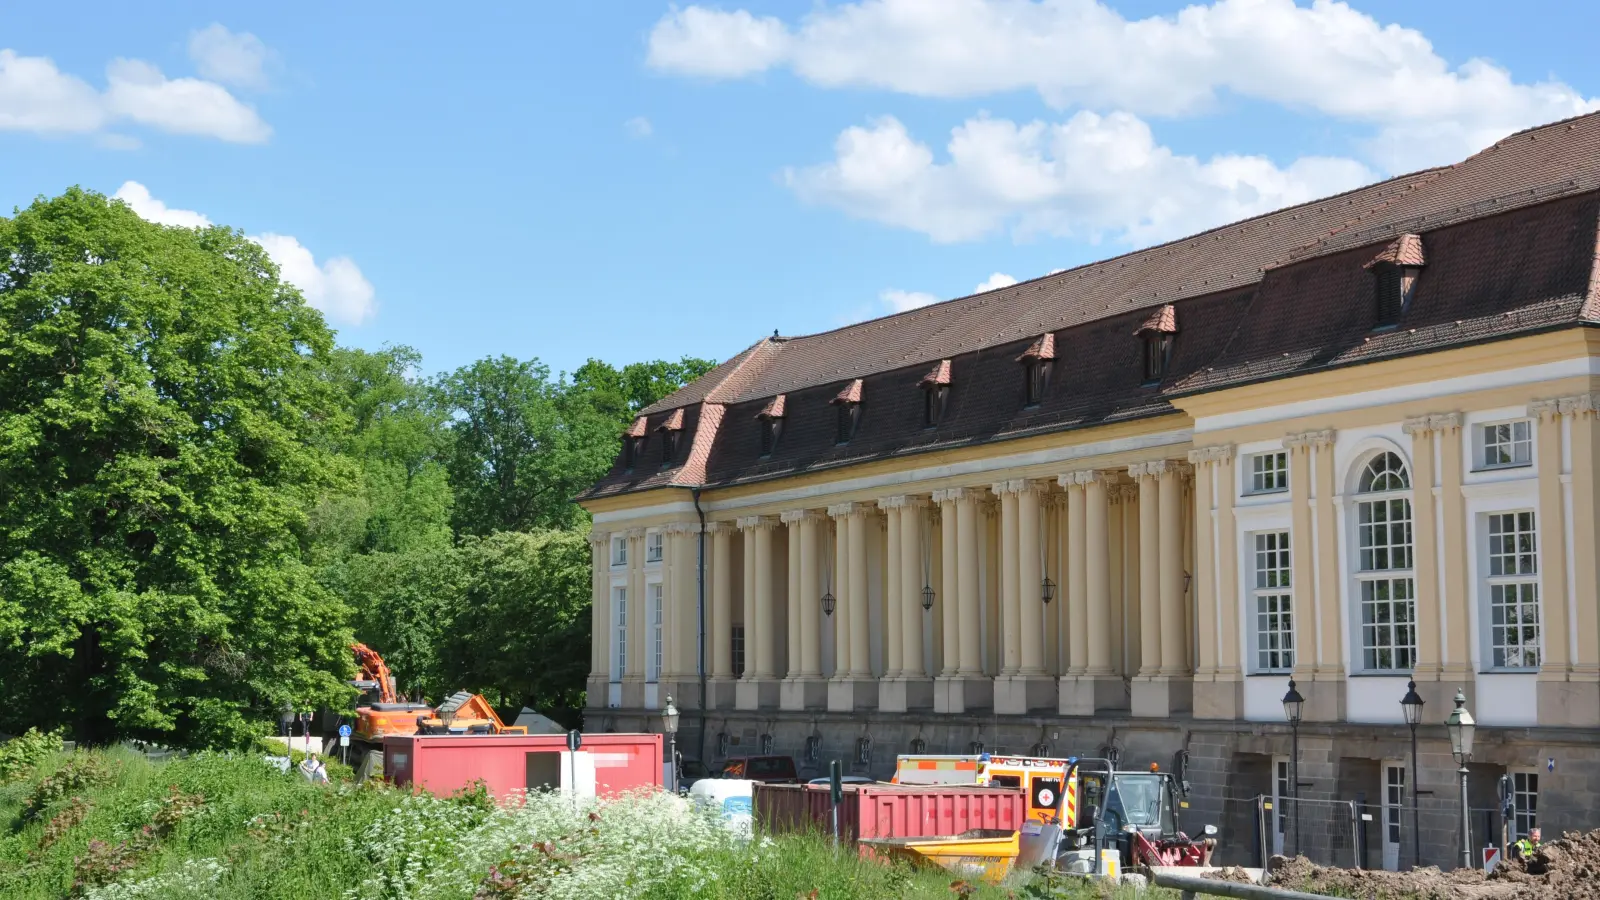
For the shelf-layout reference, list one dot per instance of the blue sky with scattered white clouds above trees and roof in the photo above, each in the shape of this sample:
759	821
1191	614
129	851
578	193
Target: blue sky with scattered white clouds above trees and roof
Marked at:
647	180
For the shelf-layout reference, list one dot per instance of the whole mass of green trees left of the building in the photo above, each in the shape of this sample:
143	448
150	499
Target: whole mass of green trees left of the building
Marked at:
204	500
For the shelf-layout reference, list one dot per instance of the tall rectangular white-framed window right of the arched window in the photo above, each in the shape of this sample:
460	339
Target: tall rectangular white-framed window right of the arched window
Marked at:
1514	590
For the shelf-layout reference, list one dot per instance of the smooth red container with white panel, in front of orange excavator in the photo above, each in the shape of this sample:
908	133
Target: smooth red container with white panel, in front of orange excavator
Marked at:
607	765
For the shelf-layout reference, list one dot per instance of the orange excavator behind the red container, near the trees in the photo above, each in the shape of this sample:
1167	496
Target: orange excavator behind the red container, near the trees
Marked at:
382	713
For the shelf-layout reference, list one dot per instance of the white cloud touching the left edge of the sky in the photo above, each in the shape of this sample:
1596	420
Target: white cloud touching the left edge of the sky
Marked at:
38	97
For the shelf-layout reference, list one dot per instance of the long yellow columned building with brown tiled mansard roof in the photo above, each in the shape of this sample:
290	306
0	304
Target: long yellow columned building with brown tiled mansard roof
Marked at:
1116	510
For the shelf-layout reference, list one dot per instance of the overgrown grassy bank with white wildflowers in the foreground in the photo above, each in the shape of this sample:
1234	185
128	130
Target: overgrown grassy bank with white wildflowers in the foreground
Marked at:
111	826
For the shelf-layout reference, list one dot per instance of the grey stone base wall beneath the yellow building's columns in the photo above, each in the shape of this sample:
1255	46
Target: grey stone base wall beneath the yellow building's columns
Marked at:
1230	766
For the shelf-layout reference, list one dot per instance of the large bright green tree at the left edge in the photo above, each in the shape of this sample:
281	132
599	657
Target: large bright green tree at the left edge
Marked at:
164	432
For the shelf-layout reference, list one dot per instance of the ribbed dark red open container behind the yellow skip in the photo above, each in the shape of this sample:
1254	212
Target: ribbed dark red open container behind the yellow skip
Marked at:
890	811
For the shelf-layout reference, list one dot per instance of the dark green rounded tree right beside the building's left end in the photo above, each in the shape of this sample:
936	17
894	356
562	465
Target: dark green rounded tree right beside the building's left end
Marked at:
521	635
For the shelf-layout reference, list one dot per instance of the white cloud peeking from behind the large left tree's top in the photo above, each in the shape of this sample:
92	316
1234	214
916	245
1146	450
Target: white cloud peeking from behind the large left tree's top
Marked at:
335	286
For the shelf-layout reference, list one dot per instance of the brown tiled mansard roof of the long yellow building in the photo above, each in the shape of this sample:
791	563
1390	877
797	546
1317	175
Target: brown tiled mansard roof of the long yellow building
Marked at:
1511	247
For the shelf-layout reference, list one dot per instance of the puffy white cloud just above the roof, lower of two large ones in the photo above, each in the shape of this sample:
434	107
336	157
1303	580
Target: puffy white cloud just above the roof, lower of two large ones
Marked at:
1090	177
